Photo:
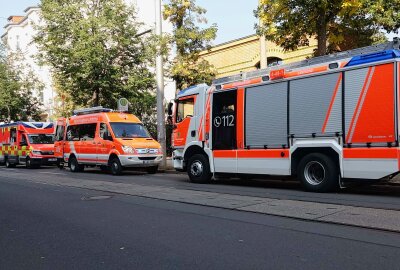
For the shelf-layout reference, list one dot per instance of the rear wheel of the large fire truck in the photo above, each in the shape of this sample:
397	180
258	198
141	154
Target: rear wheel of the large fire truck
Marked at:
318	173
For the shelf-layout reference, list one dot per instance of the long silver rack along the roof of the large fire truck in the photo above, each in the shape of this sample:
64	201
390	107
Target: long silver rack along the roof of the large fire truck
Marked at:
242	76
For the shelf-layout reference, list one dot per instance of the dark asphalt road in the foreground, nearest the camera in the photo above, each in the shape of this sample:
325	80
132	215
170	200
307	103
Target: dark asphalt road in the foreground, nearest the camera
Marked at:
49	227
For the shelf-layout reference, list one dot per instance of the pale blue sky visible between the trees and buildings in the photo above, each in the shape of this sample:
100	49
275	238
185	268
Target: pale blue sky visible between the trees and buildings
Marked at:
234	18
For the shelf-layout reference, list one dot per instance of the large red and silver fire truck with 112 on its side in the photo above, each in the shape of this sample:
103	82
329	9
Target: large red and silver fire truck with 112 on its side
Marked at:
323	120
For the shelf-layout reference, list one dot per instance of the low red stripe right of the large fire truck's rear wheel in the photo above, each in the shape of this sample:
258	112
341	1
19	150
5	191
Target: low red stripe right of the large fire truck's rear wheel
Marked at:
384	153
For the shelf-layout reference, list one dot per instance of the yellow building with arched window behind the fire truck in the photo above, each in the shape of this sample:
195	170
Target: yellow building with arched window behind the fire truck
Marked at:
242	55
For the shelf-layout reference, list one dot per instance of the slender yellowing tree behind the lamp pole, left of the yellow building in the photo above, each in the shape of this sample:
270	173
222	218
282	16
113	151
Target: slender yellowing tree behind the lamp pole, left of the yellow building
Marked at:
189	39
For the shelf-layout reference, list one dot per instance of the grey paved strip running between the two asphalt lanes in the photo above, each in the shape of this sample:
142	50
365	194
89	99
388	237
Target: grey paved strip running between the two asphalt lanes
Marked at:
340	214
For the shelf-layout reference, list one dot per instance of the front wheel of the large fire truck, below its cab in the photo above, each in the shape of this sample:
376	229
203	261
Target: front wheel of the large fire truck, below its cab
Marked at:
199	169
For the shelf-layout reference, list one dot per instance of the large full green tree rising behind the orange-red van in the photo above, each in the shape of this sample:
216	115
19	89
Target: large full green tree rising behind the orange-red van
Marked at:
96	52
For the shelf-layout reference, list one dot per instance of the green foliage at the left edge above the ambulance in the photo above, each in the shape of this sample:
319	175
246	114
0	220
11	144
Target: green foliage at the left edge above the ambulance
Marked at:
17	99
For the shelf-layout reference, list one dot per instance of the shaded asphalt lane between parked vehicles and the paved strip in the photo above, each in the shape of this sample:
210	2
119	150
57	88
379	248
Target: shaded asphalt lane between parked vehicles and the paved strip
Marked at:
375	196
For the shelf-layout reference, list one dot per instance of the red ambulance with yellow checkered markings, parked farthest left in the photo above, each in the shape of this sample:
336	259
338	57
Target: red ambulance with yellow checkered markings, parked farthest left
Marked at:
27	143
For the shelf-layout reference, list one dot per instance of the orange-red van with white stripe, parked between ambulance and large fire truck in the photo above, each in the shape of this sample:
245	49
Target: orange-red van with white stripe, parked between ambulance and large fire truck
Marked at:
109	139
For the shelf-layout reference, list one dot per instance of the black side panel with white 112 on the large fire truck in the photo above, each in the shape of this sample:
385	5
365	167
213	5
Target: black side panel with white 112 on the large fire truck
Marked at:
224	120
